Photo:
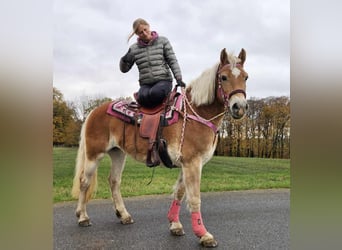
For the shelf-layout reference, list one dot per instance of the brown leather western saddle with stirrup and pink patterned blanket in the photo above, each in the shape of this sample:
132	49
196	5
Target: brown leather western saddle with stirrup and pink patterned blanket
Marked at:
151	121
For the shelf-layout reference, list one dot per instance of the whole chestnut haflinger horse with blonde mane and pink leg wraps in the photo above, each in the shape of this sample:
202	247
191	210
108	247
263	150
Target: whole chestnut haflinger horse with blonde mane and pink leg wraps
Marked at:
191	143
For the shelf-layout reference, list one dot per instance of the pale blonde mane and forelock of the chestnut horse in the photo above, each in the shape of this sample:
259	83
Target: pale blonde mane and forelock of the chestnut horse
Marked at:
202	89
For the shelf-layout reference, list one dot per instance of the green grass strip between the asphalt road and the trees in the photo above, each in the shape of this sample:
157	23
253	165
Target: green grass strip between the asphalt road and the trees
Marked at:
219	174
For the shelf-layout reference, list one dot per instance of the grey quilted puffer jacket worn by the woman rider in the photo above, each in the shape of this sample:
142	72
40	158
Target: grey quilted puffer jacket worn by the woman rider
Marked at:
154	61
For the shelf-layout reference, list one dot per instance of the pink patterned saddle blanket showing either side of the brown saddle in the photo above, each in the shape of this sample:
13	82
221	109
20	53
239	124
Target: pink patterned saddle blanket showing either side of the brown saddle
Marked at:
130	112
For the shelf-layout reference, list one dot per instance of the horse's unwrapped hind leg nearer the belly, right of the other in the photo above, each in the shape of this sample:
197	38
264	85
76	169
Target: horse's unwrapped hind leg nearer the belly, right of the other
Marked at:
118	163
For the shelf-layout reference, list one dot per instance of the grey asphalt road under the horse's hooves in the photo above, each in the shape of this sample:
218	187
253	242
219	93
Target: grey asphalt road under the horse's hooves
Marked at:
256	219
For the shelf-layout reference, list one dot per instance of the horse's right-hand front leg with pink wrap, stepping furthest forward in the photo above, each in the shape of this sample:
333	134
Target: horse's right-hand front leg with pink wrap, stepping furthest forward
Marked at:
192	181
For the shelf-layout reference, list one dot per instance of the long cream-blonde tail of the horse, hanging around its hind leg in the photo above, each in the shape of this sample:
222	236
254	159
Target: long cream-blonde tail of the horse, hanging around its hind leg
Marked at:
79	168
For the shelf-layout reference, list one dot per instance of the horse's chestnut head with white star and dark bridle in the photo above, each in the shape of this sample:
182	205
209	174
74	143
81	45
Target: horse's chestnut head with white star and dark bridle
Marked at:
231	83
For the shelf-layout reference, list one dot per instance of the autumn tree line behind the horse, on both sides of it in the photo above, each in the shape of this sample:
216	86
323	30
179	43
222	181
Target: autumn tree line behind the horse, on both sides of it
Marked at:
264	132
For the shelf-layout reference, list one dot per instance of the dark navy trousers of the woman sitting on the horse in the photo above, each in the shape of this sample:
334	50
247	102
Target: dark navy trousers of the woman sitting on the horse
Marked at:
150	96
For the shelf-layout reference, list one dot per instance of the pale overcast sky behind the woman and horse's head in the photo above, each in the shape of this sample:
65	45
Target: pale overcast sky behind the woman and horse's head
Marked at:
90	37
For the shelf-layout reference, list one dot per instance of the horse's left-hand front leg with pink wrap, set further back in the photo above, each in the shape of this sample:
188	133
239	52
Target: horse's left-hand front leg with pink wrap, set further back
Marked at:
176	228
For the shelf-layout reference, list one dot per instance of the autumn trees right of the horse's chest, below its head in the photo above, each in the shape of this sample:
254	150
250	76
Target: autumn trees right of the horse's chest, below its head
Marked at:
264	132
